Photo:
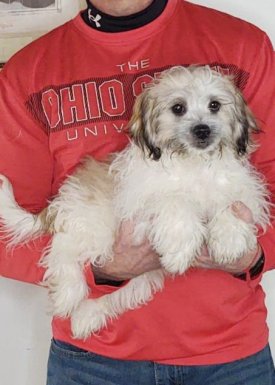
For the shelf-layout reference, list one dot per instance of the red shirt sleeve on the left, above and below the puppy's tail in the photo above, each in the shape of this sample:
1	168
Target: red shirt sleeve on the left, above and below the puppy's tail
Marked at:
25	159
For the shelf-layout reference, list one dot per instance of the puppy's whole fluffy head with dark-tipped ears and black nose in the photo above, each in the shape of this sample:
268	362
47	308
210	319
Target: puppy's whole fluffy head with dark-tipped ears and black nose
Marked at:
191	110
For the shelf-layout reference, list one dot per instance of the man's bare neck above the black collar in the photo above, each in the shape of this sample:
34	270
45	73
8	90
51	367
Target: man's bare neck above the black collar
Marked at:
121	7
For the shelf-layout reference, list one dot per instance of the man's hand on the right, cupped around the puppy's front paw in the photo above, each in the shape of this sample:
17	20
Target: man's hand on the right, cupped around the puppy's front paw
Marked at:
243	264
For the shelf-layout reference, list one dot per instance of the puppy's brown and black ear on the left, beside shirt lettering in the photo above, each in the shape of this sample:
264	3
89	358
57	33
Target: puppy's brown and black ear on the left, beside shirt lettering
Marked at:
143	125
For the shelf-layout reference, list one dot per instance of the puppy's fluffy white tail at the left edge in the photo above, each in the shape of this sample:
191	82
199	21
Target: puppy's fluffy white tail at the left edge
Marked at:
16	224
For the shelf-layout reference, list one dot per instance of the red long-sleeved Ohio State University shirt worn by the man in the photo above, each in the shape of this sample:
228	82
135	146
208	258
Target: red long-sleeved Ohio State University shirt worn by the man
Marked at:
69	94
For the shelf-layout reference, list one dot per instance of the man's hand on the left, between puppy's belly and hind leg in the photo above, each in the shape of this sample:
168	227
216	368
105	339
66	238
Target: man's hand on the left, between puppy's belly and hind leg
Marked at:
129	260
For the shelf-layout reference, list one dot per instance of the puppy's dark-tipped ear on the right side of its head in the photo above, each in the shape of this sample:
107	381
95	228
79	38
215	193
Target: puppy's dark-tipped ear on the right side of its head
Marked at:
245	125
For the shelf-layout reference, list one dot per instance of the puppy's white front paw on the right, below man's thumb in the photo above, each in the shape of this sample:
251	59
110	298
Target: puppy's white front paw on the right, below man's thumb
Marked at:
230	239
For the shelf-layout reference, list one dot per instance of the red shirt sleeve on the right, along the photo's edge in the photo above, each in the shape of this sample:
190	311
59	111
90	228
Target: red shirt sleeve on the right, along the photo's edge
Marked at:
261	99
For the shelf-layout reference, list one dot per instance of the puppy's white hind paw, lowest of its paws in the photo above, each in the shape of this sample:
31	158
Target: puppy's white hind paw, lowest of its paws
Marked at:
88	318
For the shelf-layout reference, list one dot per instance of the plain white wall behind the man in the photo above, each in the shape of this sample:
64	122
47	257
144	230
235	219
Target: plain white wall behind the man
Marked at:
24	325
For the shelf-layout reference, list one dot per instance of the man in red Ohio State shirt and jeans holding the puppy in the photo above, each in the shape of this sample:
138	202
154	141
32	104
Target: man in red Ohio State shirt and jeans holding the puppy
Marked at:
70	94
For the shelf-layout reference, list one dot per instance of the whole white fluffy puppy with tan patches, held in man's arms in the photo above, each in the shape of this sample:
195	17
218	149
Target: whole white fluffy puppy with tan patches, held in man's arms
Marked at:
186	164
